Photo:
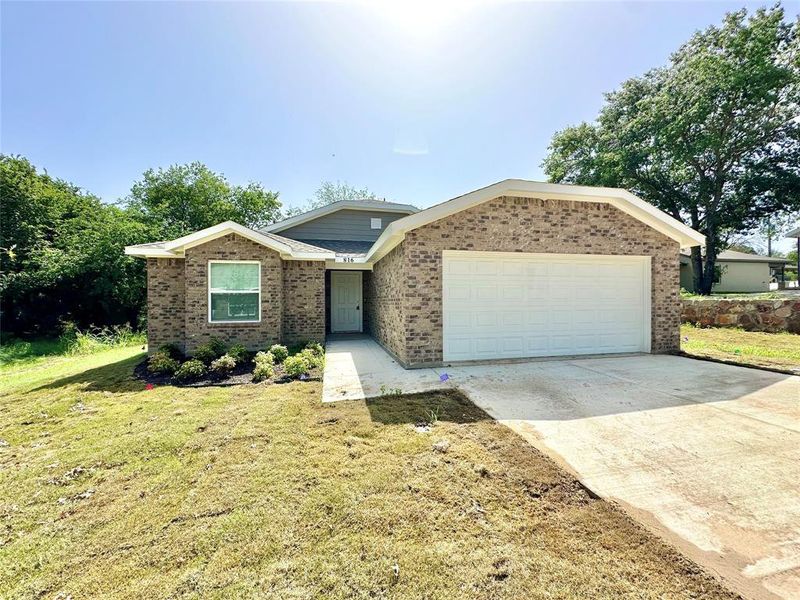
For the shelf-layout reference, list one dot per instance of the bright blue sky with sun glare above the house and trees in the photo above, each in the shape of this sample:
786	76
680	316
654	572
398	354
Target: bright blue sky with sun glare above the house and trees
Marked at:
418	101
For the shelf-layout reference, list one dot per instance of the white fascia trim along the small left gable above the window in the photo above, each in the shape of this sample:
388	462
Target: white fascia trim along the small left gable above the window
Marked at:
177	247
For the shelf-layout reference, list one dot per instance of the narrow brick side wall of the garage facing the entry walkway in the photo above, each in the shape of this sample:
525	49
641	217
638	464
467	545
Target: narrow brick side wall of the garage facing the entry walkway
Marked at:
384	296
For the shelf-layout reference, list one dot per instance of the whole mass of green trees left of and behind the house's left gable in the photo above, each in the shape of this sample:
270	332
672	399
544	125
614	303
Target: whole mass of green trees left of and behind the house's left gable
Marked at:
62	249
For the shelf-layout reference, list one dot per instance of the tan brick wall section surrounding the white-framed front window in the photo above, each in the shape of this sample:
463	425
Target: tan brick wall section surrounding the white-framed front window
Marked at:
253	335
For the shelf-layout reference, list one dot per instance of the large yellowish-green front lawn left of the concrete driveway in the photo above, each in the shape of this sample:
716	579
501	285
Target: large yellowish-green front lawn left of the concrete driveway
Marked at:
110	490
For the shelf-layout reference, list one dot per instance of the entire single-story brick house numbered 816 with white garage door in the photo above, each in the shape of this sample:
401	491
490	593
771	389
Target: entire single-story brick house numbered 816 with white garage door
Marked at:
516	269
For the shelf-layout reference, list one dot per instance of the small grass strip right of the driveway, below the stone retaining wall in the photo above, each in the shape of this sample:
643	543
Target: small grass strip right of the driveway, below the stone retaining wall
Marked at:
776	350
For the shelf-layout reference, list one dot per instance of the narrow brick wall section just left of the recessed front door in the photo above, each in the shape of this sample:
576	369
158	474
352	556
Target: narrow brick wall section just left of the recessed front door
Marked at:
303	301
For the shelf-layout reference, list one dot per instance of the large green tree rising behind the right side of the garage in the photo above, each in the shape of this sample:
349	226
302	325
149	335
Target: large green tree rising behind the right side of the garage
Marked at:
713	138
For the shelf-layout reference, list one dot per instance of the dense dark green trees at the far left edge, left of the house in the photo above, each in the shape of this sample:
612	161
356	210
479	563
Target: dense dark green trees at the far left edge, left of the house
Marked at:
61	254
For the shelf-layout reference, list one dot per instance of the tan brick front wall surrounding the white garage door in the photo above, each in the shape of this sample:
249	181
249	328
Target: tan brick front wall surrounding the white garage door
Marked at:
524	225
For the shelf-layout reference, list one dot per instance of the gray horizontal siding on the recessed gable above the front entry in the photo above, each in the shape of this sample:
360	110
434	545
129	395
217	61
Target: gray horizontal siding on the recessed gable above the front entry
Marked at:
344	224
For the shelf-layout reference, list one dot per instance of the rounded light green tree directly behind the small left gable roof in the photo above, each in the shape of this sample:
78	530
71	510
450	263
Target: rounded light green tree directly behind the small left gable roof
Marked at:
185	198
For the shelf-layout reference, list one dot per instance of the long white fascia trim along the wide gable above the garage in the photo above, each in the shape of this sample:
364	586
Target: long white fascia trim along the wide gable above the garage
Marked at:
621	199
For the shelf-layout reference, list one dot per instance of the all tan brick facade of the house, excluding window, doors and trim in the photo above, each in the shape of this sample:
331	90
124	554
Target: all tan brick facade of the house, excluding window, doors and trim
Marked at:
403	292
